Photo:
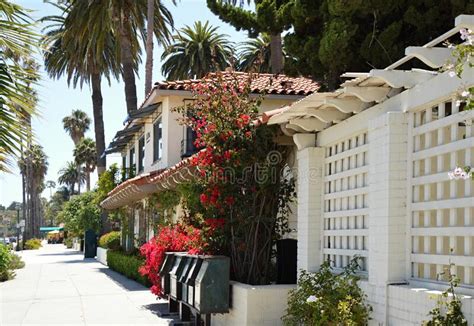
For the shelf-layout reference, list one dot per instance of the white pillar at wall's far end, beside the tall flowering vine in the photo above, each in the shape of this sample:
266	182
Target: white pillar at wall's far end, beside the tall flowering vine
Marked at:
310	210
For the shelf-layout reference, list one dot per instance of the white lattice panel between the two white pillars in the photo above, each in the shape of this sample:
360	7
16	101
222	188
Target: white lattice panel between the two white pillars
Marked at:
345	222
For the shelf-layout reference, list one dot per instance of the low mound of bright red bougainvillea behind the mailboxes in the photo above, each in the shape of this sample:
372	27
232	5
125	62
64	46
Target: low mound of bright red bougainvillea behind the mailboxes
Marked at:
170	238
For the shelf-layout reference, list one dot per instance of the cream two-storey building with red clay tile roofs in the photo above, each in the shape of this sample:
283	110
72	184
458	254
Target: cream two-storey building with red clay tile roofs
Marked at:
154	145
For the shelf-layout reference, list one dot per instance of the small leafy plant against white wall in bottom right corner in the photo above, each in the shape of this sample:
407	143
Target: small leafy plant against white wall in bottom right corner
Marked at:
448	305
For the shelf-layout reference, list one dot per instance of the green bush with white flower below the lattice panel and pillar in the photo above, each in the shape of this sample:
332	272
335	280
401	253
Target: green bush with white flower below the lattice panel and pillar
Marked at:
326	298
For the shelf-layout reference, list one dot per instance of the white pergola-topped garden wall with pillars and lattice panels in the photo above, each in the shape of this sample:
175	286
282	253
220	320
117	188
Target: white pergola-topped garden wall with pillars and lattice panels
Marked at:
373	161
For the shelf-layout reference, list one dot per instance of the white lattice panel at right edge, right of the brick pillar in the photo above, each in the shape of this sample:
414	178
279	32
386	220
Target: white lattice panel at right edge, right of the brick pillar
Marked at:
441	210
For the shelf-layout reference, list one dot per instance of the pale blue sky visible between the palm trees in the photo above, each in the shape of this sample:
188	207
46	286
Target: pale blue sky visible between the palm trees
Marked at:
58	100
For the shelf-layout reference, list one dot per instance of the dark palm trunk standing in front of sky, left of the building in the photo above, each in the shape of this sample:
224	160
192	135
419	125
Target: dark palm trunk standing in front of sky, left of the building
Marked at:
98	123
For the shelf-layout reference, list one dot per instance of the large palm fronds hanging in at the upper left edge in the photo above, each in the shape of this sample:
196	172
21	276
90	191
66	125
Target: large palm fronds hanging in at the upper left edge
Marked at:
17	100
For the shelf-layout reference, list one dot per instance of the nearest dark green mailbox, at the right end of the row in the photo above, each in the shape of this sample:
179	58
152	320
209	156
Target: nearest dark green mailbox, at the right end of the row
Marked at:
211	289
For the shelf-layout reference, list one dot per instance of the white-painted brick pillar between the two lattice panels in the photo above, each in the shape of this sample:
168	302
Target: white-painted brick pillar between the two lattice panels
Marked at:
388	135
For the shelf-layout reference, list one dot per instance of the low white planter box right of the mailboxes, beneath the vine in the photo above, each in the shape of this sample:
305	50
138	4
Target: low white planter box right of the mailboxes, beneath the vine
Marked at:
255	305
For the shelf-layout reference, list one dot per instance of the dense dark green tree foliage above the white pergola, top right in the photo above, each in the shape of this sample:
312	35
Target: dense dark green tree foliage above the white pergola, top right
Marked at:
330	37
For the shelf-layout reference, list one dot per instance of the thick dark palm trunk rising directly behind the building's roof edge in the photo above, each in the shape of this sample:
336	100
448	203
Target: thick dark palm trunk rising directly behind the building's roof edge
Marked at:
126	58
